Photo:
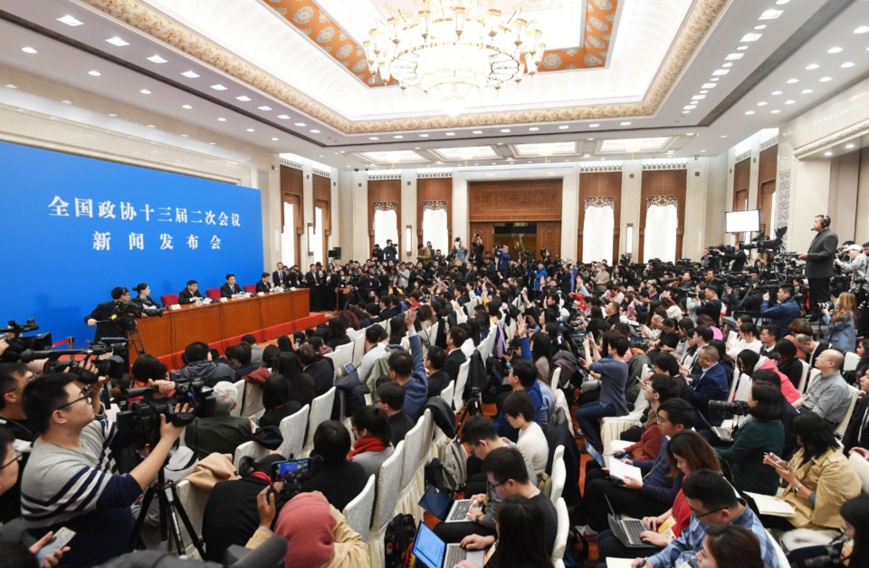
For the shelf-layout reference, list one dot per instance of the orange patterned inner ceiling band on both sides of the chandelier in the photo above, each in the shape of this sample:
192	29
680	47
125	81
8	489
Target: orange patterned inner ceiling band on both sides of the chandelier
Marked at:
310	19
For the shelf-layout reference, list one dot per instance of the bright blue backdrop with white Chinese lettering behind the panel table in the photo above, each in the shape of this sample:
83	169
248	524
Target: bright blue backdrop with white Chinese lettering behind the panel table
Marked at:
73	228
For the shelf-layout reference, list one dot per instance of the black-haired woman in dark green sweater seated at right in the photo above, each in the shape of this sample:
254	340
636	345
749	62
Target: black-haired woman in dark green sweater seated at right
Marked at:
760	434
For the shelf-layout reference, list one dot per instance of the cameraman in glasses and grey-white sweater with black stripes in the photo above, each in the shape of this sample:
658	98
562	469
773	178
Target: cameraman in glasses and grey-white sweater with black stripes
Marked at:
70	480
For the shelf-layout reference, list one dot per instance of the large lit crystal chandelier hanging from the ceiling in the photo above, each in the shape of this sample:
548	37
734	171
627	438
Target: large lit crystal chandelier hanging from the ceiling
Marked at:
452	50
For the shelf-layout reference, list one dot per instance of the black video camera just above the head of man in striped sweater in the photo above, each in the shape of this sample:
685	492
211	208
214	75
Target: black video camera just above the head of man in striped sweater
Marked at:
113	367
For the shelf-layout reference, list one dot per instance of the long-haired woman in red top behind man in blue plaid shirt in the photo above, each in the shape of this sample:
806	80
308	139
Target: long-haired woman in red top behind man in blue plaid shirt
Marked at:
688	452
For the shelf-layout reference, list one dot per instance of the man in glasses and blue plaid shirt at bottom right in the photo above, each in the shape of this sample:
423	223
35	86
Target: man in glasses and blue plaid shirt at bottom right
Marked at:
713	502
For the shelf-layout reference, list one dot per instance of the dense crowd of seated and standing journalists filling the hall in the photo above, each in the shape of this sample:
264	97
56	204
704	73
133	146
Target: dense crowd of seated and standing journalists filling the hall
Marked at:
721	405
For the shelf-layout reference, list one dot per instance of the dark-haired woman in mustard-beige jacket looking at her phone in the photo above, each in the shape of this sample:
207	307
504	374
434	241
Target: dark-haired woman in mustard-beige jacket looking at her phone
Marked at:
817	479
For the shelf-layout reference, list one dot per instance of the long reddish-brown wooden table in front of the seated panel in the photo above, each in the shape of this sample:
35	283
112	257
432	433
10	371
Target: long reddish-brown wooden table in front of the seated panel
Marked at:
223	323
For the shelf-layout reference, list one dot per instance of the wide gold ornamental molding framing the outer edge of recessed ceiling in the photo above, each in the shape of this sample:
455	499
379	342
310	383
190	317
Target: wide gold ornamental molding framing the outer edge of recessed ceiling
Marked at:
149	21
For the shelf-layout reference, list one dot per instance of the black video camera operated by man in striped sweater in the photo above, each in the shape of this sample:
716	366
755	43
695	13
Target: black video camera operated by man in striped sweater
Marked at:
143	416
